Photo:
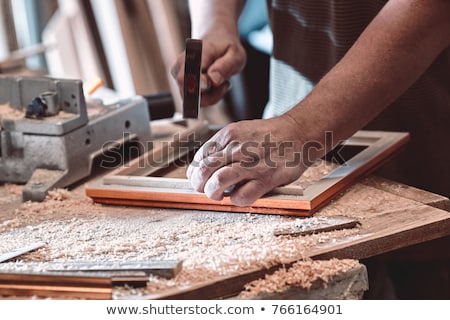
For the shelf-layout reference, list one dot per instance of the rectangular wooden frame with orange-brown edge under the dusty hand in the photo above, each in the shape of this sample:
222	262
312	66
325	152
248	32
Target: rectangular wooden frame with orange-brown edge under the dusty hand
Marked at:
133	185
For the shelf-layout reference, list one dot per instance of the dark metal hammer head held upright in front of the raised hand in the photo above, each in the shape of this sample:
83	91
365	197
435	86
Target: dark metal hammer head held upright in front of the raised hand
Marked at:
192	74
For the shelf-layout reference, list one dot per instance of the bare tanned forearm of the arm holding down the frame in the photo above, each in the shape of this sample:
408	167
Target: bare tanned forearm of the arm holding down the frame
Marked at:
390	55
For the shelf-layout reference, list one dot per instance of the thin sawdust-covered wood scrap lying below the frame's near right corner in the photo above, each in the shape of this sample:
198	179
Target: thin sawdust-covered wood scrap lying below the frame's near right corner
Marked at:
317	224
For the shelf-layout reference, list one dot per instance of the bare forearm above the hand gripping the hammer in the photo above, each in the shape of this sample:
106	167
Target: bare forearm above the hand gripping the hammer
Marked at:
209	14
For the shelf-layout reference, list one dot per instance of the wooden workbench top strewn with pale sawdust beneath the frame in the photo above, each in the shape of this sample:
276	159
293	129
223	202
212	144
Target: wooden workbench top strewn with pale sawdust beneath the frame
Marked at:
222	252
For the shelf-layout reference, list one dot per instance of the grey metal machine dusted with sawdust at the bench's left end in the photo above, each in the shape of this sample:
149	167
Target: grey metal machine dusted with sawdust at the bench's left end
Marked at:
49	135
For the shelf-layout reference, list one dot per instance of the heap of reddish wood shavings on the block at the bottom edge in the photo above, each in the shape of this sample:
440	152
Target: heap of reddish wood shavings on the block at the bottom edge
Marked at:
302	274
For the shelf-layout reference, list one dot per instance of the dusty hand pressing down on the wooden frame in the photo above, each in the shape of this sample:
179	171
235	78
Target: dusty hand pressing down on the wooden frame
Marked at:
249	158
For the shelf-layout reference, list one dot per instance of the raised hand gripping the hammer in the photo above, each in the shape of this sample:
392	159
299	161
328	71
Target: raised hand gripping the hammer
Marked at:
222	57
